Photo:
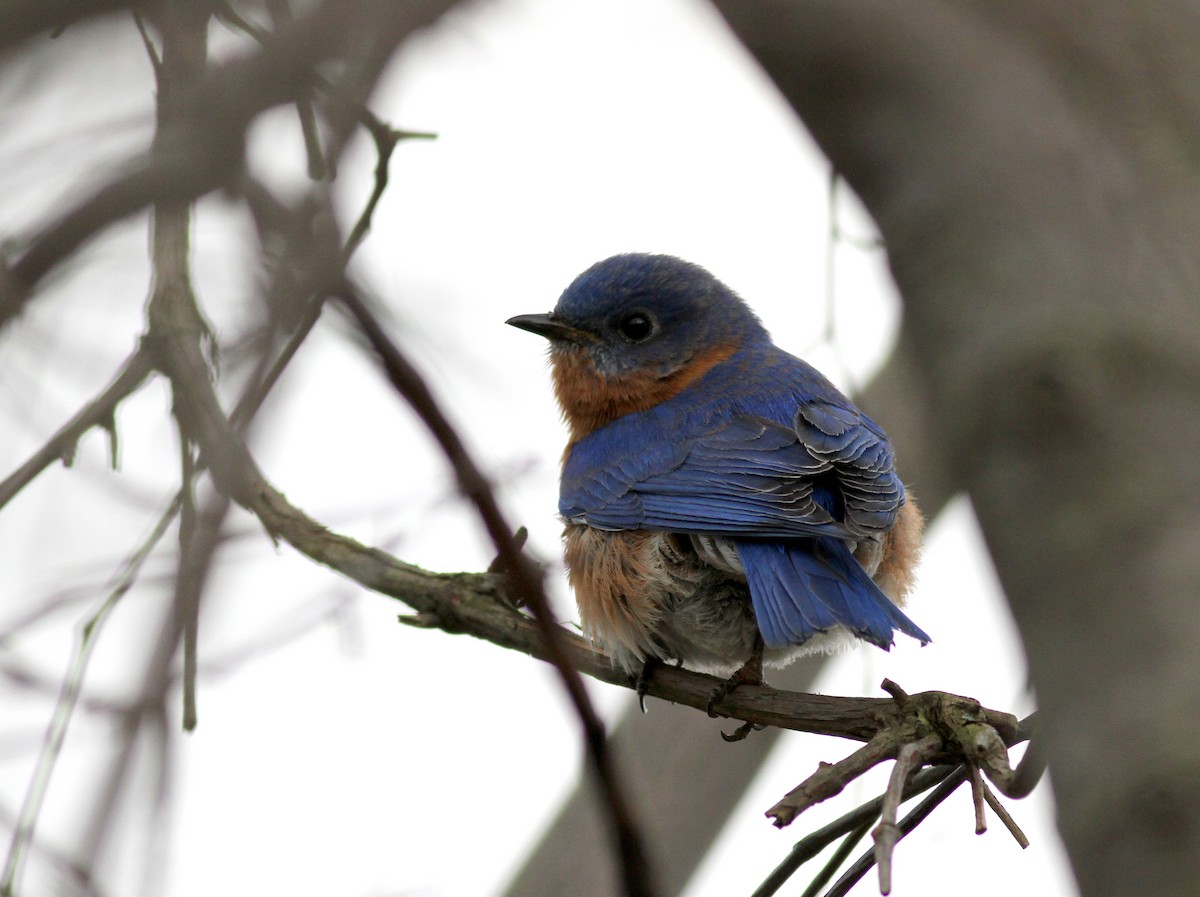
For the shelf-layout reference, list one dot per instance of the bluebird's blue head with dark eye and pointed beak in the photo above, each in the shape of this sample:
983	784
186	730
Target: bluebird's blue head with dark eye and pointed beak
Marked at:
649	315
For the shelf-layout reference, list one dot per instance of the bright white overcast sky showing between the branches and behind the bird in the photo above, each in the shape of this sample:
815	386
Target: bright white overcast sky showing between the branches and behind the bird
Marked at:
368	758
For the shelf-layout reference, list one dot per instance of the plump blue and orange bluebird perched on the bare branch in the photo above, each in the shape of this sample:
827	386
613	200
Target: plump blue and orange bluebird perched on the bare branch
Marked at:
725	504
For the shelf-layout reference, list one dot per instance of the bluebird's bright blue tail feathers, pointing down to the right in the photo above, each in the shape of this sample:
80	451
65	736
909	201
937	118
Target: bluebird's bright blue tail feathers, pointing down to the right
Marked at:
806	587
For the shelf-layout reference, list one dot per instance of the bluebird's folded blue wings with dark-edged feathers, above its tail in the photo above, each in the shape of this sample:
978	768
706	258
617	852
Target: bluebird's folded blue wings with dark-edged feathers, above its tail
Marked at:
748	477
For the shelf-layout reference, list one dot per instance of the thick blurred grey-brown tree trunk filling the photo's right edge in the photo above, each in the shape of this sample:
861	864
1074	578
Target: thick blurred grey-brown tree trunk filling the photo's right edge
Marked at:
1034	170
